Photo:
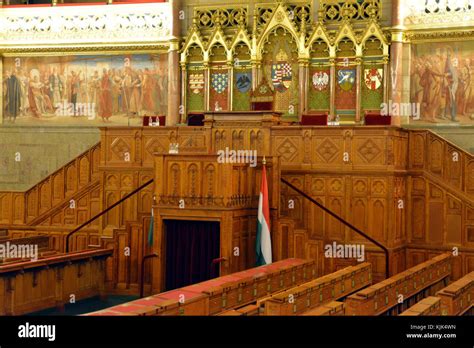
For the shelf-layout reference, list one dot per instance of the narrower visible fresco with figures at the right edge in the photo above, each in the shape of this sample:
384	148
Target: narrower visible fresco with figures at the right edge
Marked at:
442	82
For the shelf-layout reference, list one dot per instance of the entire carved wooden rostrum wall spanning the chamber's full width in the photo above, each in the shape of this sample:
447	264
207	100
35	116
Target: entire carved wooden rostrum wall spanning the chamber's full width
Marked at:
408	189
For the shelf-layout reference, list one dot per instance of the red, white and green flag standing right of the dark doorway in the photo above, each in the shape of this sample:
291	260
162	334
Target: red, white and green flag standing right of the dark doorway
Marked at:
263	242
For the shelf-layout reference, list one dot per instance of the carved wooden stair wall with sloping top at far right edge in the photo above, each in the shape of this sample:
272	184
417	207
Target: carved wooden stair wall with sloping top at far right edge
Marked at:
440	201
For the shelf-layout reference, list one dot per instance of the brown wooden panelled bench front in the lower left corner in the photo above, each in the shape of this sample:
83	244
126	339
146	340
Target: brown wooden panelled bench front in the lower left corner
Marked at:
38	285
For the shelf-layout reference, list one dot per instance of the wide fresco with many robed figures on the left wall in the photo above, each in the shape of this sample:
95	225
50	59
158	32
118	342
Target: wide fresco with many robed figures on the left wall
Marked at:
84	90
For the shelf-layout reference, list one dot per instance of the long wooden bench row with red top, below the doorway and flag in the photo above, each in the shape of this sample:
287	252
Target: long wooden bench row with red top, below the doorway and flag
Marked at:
227	292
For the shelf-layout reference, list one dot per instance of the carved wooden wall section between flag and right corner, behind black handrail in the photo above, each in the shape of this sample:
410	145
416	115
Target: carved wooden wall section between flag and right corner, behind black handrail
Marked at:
354	172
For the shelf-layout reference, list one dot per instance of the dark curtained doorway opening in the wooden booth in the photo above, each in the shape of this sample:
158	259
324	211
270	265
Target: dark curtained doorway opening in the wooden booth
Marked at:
190	248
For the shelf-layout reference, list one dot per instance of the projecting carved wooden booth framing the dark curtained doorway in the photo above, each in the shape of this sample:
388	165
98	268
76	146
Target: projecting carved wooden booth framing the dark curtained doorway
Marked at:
199	188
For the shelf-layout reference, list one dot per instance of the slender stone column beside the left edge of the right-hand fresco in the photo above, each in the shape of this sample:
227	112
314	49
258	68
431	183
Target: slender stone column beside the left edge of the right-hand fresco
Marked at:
396	58
